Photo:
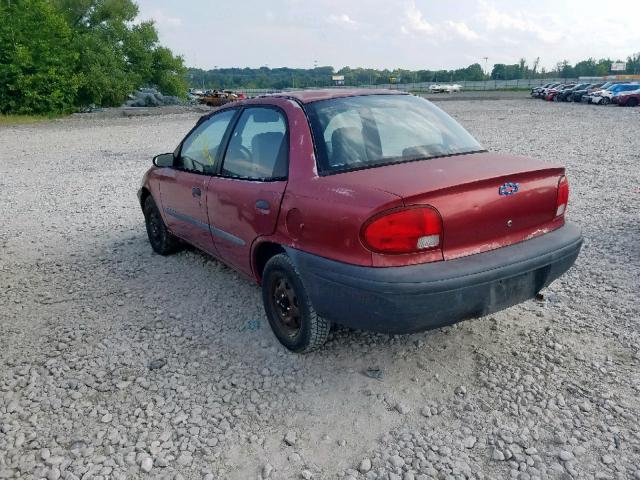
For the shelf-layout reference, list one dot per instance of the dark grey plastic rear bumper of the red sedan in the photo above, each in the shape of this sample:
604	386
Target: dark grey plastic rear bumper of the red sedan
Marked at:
421	297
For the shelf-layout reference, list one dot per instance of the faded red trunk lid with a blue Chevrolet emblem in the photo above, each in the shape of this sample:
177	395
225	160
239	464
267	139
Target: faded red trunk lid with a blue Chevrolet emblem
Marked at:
486	200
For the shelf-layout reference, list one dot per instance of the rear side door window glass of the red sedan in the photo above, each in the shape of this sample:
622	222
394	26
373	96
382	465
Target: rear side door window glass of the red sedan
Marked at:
259	147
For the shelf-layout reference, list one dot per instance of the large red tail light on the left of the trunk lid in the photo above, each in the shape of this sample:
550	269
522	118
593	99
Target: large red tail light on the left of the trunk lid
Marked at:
408	230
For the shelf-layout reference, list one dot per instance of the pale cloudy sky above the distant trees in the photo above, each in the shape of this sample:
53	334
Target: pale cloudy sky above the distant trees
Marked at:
412	34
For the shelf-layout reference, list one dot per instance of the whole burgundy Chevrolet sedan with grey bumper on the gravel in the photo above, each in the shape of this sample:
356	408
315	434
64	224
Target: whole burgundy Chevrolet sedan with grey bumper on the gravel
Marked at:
371	209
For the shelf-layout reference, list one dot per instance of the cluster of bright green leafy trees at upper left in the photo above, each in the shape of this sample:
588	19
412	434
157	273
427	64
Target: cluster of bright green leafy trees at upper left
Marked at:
60	55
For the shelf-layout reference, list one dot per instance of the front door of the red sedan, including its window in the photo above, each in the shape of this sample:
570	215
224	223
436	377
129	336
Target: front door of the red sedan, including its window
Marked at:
183	190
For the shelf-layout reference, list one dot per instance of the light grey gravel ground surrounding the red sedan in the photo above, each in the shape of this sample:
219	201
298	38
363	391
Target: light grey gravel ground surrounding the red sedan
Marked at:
118	363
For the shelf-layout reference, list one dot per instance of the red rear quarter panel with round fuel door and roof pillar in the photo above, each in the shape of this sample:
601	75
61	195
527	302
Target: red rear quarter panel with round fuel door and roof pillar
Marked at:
323	215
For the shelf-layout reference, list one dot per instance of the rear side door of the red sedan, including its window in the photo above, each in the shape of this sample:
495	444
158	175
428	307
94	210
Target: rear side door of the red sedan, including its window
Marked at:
243	201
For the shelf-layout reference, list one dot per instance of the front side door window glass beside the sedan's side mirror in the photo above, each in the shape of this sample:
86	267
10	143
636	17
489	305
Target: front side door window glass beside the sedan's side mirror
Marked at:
200	150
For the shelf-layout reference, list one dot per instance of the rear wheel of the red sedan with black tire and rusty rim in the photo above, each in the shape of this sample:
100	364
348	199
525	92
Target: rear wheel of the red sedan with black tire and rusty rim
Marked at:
291	315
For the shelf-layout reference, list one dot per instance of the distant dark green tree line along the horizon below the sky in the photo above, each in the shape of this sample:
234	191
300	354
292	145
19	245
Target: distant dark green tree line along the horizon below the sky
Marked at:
279	78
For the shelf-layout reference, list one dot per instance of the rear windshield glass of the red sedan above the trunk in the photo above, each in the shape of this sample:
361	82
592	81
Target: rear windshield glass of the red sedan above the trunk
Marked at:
358	132
